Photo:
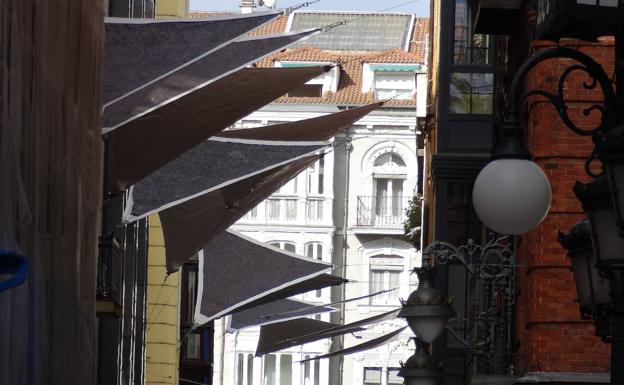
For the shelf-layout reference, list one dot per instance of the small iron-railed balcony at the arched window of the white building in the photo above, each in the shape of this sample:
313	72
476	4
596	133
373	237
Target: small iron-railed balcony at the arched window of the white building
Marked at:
381	215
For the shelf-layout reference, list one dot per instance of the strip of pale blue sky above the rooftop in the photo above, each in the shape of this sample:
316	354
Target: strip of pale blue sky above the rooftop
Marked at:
419	7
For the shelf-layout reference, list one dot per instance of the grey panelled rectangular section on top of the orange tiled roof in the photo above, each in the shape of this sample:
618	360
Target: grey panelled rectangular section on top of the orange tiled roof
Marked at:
363	32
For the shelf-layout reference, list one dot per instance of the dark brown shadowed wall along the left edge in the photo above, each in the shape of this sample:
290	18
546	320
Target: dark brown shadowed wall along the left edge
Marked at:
50	186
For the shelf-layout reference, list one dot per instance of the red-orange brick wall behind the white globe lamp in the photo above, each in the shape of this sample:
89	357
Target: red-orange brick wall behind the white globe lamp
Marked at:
551	335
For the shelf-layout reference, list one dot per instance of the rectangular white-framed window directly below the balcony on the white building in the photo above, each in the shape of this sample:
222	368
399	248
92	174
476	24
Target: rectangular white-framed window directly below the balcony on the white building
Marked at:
385	273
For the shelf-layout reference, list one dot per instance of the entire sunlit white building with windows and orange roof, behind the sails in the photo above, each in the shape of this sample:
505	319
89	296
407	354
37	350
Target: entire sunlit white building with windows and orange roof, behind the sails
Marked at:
347	209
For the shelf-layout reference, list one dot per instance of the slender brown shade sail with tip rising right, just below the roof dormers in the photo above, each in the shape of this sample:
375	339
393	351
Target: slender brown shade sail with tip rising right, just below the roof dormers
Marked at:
319	128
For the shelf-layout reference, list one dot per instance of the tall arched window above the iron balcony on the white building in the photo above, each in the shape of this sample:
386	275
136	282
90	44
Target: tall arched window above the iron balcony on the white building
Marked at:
389	174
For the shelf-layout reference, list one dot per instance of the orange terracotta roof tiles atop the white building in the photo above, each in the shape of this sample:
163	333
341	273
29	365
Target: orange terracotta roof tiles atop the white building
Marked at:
350	86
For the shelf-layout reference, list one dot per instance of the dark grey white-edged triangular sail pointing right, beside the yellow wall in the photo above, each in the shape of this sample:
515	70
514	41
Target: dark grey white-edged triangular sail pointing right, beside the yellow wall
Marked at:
235	270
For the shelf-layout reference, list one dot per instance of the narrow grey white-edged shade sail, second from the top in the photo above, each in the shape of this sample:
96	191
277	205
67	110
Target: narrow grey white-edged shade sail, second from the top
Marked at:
193	76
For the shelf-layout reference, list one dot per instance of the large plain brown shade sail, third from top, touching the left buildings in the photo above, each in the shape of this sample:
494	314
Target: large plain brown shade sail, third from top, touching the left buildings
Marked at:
146	144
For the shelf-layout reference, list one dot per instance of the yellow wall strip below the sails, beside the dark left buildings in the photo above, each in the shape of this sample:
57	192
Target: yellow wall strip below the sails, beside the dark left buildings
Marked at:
162	350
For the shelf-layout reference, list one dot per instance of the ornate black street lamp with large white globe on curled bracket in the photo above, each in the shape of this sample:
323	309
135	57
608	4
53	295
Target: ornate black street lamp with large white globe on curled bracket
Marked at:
603	200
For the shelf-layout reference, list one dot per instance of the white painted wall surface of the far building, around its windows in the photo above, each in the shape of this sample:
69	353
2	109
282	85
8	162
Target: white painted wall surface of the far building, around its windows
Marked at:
378	133
